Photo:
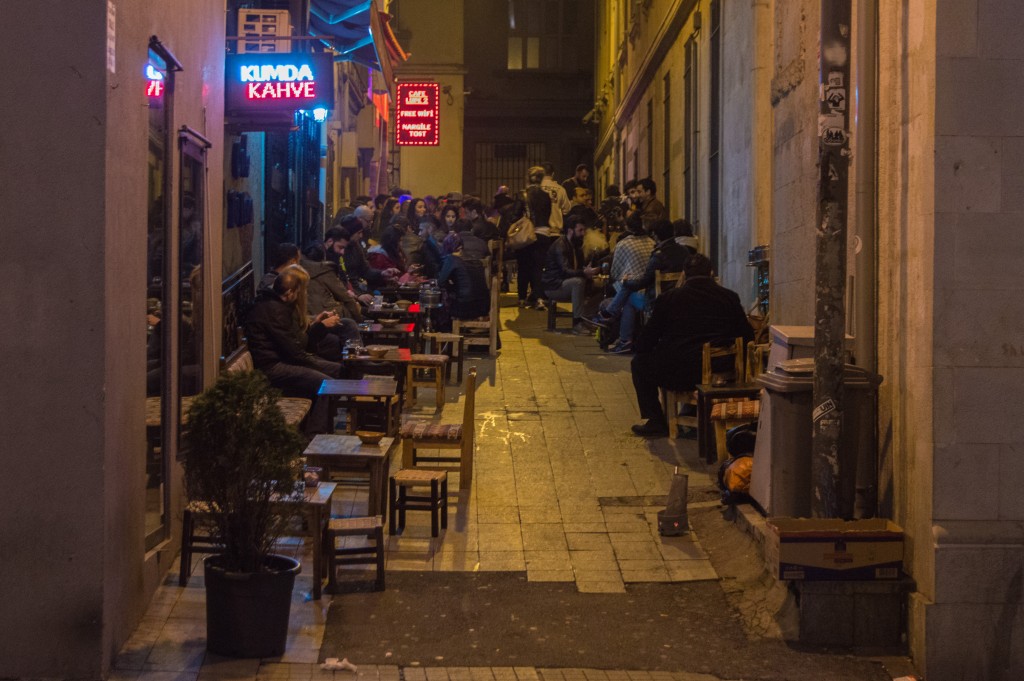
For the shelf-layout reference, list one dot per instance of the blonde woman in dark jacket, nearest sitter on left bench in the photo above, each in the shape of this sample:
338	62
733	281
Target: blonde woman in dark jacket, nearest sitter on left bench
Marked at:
279	335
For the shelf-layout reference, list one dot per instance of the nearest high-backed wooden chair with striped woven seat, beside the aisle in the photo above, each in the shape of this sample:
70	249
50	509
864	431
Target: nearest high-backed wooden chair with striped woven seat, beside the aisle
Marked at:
418	435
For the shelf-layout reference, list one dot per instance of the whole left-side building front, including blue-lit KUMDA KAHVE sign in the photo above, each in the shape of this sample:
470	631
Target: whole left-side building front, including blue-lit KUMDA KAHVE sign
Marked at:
137	216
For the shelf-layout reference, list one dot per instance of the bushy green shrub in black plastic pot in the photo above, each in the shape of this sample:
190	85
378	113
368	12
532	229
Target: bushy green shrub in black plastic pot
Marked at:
241	459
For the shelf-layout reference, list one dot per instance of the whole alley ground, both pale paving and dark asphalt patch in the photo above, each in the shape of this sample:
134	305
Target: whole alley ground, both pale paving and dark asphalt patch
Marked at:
551	568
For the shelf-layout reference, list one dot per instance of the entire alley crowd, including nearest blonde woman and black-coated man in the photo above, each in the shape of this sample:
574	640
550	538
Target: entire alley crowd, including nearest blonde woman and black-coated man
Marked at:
310	304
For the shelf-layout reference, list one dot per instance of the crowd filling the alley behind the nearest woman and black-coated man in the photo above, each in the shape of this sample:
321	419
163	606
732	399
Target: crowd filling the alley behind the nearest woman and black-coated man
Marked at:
399	240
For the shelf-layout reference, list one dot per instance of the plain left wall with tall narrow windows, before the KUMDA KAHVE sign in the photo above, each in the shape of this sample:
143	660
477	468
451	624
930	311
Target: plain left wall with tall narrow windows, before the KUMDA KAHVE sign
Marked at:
110	201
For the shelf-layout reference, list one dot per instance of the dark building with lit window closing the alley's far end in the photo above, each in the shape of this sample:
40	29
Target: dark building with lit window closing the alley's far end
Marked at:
530	84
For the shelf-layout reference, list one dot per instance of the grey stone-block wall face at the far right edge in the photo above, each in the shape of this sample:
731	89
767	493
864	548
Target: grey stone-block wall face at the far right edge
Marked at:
978	371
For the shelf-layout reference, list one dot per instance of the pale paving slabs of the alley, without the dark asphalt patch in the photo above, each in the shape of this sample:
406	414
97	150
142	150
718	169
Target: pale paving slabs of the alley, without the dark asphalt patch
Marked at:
563	491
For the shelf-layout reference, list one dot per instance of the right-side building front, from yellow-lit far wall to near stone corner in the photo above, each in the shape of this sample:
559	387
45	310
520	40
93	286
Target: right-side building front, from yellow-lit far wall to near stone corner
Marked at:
718	102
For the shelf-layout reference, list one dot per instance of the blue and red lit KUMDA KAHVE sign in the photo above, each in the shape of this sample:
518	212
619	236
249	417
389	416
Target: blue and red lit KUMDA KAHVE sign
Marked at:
278	83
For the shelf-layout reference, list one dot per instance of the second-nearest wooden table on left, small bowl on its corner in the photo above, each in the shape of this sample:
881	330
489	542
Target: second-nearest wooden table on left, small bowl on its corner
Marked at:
347	453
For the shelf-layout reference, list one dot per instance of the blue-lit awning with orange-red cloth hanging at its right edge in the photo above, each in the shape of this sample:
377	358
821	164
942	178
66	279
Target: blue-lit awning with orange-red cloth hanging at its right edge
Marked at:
362	34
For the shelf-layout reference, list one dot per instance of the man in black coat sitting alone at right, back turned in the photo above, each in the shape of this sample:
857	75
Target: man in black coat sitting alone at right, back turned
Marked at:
670	348
